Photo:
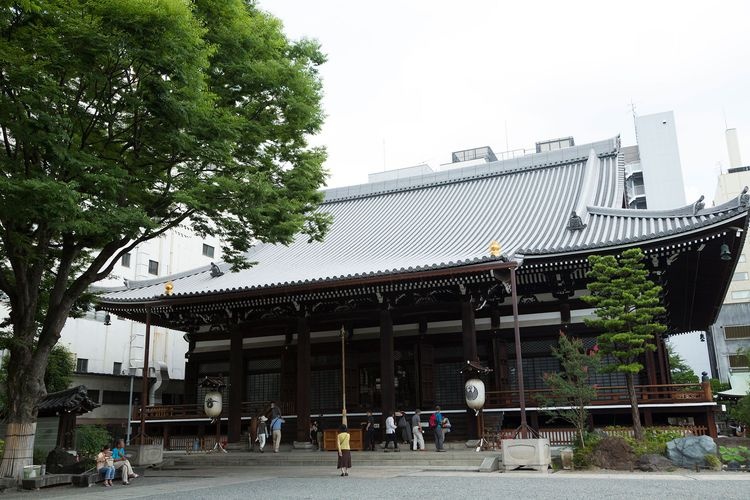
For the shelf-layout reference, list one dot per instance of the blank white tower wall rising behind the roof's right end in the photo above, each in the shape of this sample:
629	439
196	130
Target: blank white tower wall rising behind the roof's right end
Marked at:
660	158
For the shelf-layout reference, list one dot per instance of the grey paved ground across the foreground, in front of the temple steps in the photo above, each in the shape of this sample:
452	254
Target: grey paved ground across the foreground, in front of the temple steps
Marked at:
384	482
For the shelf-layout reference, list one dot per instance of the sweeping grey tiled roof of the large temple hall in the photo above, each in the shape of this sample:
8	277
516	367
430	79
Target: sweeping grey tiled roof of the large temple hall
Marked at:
448	219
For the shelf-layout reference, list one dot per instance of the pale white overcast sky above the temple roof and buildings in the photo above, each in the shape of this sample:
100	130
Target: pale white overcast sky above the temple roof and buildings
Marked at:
411	81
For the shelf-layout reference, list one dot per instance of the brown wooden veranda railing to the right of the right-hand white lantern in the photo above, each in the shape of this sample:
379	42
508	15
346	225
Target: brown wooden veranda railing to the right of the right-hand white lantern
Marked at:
660	393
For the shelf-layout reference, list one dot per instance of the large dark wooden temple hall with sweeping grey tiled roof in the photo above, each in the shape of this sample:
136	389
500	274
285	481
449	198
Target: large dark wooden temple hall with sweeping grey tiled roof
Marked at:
417	276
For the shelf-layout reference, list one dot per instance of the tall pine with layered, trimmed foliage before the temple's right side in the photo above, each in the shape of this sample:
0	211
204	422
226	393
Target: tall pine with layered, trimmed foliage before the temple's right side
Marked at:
627	303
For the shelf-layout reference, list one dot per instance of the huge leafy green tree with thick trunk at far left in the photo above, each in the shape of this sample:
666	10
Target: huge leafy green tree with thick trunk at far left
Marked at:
122	119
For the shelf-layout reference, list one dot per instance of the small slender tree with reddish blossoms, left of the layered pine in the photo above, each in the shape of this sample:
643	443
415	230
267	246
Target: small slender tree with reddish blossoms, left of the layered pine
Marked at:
570	391
